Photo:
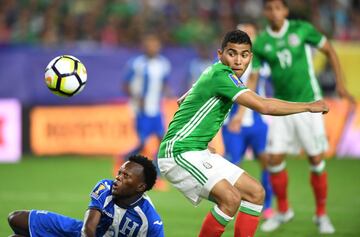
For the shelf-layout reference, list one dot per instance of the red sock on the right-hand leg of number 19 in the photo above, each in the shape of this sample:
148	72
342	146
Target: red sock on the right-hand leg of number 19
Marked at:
318	179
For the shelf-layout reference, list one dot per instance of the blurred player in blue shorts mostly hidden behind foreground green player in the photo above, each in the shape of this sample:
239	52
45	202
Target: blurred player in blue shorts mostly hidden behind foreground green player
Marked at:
247	129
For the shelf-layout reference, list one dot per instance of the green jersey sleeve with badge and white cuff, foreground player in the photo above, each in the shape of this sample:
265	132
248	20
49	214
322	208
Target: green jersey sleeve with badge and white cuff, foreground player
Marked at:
228	85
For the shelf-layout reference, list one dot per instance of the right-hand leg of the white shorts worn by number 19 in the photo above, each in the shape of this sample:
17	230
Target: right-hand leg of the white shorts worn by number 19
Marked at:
311	132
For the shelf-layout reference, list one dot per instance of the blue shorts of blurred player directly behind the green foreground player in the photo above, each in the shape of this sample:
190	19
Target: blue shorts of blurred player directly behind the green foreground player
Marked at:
236	143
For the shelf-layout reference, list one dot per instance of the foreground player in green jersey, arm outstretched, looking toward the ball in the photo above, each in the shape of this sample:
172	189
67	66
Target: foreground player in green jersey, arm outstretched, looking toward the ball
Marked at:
186	162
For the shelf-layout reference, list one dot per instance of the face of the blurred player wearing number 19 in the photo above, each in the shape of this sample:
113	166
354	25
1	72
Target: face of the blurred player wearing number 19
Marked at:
276	13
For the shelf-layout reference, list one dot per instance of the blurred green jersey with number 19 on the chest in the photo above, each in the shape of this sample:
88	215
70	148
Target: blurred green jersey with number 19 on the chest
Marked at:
288	53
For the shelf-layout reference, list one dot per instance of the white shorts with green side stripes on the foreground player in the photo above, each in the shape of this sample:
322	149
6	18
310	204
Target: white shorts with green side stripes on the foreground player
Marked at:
195	173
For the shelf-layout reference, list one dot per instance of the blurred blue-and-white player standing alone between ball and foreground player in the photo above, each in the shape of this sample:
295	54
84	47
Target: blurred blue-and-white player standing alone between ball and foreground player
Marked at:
145	83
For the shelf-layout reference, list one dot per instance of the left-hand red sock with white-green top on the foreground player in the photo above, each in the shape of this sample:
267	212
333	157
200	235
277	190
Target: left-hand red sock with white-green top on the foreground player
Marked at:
214	223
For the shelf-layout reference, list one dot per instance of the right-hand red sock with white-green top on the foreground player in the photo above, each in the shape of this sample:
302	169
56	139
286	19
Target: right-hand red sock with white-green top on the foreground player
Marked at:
247	219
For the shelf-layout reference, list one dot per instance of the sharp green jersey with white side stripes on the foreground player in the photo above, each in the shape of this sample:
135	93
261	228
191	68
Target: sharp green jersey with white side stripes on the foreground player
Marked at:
203	111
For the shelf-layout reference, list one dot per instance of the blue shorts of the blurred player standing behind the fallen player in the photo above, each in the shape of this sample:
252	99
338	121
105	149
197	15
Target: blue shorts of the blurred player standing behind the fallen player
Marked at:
147	126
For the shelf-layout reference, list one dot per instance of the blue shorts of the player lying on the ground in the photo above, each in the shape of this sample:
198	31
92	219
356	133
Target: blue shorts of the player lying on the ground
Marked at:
49	224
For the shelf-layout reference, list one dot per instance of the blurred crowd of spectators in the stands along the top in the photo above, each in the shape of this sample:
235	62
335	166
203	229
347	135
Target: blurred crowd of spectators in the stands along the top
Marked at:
178	22
